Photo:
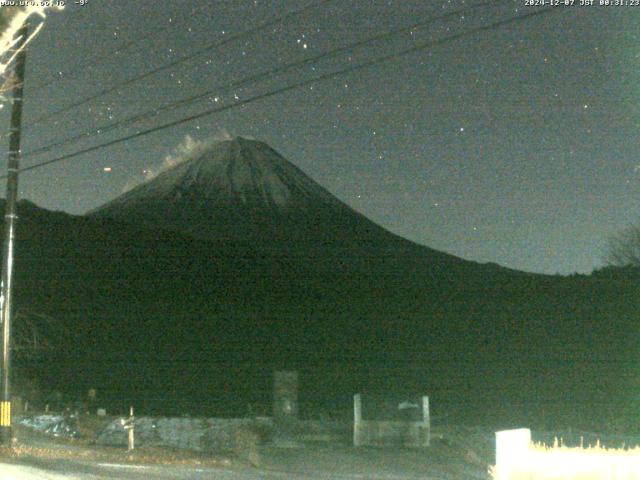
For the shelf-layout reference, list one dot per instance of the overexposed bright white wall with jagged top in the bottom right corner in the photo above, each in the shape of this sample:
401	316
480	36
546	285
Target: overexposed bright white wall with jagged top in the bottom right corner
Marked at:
517	457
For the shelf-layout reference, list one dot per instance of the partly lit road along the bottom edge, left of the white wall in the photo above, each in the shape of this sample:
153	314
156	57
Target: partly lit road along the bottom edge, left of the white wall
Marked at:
43	458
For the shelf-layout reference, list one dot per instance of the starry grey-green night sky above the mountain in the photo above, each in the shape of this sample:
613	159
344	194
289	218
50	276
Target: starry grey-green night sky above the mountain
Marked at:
516	145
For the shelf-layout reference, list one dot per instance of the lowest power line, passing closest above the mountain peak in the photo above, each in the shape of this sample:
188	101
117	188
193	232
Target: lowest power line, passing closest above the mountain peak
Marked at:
321	78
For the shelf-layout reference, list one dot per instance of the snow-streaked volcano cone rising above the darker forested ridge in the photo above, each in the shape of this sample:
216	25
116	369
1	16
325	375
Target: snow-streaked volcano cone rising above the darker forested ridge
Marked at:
242	191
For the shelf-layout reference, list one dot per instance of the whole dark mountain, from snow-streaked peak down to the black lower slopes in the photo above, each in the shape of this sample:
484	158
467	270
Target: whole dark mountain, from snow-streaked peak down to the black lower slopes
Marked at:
184	294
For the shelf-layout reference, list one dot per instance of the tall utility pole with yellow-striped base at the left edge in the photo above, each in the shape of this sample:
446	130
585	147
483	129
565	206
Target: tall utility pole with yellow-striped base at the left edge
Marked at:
10	217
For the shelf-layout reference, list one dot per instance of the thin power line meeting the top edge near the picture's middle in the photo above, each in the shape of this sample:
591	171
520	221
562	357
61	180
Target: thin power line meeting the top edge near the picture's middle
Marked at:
166	66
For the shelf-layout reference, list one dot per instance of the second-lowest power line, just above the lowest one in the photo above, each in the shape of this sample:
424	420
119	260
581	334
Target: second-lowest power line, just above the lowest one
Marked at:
239	83
